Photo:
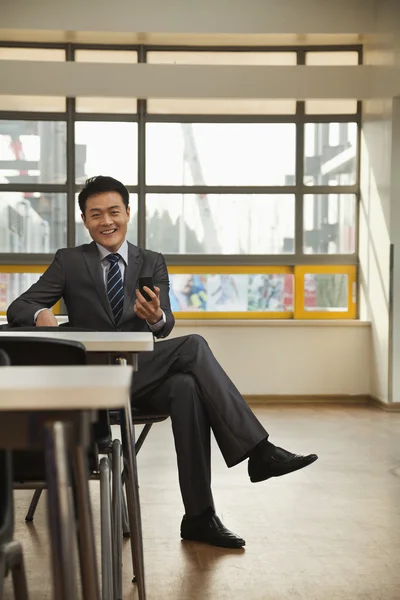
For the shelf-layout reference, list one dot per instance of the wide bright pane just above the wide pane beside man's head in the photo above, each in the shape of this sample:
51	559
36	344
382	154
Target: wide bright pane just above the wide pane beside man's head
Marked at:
220	154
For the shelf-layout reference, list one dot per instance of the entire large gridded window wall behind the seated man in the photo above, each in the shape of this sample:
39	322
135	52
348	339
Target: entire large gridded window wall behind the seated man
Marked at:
253	201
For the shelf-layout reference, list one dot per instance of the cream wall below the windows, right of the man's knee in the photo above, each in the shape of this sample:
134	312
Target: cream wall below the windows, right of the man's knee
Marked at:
290	358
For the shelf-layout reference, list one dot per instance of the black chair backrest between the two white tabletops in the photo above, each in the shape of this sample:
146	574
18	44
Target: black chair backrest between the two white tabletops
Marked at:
30	351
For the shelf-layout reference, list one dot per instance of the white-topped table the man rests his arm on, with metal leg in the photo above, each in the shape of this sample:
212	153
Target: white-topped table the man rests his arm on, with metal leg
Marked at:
110	343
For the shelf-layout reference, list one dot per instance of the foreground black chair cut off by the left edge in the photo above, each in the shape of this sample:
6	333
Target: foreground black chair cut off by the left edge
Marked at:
11	557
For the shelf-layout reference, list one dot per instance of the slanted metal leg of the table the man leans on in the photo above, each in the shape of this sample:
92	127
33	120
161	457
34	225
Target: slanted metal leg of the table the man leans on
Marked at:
132	493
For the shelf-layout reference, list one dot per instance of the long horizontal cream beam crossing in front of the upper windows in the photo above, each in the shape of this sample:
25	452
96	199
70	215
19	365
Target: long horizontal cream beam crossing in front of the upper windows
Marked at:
188	81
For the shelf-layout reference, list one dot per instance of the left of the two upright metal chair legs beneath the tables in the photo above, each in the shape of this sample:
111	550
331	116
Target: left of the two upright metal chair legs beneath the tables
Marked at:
106	531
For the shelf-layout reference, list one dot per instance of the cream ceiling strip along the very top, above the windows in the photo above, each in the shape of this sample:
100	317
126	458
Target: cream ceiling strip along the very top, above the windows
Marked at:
189	16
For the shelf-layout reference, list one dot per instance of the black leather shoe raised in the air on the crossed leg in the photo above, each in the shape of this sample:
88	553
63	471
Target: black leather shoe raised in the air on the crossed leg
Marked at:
279	462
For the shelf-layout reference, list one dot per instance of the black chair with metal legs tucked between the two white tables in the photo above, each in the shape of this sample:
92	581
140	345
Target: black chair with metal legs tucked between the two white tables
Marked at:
29	466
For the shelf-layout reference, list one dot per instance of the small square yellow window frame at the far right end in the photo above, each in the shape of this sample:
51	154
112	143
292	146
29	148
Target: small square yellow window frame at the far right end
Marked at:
300	271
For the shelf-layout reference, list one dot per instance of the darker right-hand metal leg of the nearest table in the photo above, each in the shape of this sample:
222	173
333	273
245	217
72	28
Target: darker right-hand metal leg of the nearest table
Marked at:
86	544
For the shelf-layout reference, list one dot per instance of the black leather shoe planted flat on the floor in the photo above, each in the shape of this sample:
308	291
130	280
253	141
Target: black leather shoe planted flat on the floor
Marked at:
209	529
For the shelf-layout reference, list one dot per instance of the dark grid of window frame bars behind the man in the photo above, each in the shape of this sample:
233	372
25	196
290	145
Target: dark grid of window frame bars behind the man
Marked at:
142	117
